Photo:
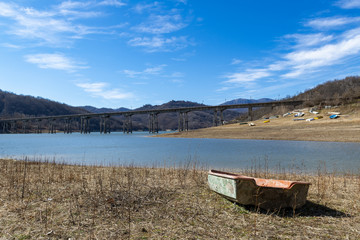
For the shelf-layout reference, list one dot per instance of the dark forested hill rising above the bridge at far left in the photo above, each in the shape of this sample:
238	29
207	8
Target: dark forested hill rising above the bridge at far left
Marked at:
13	105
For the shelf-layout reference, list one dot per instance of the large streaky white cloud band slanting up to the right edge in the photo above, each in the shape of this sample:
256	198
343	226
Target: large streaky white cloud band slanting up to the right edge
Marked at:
308	52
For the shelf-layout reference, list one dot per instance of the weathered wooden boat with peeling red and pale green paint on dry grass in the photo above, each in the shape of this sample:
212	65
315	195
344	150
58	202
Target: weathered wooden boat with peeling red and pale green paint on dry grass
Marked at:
268	194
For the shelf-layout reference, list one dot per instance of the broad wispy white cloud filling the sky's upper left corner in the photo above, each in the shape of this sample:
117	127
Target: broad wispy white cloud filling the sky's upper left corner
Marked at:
56	26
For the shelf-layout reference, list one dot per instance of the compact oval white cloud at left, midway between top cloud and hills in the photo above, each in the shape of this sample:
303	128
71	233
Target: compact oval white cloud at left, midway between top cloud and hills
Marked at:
54	61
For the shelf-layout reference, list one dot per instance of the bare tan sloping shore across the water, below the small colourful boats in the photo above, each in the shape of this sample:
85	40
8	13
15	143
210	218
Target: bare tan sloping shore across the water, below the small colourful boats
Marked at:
346	128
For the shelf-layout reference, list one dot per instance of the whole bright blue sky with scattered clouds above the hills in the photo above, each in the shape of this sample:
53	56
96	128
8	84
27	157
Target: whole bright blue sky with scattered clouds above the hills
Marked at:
123	53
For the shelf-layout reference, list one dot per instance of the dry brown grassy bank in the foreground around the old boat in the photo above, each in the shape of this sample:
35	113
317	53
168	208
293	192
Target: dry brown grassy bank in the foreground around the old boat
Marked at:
58	201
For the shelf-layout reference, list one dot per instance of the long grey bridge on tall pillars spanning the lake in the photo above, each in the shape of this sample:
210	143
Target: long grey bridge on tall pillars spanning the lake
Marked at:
10	125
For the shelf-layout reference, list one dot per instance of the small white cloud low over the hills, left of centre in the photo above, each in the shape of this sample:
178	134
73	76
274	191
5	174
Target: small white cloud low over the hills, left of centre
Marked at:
101	89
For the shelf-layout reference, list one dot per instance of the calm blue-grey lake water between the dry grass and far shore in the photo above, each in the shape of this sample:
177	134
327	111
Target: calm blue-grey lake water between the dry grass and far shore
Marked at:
139	149
